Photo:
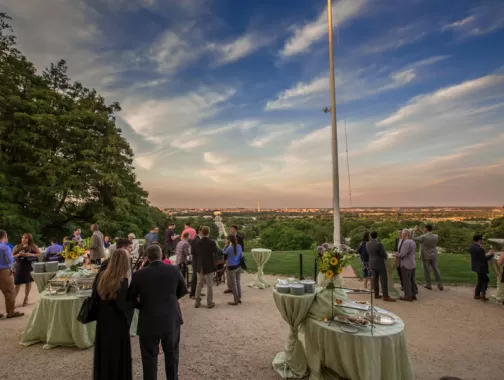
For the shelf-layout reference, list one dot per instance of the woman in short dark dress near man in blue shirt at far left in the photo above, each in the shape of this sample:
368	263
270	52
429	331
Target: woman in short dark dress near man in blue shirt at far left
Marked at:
25	254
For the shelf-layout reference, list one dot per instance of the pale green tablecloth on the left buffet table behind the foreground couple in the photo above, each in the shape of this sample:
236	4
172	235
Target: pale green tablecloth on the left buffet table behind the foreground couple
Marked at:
54	322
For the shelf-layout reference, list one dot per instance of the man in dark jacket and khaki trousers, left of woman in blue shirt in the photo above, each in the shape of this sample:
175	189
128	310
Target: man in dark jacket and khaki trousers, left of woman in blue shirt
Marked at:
206	251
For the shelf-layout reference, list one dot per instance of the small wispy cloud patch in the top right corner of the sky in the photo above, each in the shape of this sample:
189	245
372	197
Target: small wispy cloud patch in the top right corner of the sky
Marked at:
483	19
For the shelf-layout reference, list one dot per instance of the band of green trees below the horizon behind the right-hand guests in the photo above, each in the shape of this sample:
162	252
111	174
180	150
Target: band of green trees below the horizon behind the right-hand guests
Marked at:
282	234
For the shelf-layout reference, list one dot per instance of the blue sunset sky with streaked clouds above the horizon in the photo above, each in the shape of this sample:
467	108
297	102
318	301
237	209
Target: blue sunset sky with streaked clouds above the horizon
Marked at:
222	100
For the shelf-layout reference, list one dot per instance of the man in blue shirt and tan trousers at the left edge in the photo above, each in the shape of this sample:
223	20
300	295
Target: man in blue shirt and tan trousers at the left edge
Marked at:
6	277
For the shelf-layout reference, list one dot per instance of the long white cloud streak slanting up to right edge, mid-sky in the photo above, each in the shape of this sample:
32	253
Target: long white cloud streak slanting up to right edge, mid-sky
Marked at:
443	100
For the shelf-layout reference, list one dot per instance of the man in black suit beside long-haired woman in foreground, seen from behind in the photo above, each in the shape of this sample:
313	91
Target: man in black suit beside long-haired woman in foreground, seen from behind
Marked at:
158	287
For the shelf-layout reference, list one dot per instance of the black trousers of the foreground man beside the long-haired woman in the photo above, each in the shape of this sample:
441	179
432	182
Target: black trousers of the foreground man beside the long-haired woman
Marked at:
149	348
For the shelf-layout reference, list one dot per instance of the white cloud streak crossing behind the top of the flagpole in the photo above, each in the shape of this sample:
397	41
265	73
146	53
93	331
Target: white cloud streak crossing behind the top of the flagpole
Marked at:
306	35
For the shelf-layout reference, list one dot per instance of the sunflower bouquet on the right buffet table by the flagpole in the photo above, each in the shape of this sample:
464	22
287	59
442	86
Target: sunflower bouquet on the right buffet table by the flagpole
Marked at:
331	261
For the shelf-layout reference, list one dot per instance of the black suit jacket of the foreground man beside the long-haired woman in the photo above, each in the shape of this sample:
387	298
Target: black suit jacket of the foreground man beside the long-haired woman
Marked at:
159	287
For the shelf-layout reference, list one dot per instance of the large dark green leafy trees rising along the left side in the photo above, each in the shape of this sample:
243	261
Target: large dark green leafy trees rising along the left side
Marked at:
63	161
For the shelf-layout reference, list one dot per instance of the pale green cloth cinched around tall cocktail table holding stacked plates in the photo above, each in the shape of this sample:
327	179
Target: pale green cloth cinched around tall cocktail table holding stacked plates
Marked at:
291	363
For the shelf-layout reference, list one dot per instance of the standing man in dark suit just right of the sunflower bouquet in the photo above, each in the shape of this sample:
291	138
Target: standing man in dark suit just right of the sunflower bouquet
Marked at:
377	258
